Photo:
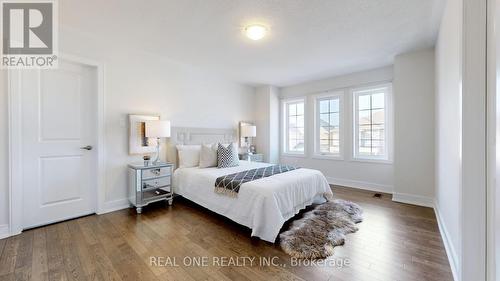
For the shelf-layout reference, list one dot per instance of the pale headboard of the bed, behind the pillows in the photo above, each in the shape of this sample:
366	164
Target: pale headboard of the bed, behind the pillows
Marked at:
180	135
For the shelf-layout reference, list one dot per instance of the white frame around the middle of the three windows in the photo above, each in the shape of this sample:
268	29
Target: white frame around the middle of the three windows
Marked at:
317	111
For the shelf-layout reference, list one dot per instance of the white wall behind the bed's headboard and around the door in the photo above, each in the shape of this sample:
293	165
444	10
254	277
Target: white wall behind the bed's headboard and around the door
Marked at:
137	82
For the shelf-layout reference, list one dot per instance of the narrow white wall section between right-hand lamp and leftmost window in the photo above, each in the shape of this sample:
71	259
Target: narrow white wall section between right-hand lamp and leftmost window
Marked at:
267	122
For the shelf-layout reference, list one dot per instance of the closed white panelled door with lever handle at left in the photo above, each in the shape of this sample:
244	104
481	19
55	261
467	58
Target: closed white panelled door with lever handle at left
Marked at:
59	119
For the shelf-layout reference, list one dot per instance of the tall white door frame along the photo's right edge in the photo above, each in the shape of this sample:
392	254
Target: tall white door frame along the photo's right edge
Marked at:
473	158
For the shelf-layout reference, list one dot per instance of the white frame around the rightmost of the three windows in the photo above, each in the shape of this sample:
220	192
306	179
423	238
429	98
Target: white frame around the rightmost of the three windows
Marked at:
388	120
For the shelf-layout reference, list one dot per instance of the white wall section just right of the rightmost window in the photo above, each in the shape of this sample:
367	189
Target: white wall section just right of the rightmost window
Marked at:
414	139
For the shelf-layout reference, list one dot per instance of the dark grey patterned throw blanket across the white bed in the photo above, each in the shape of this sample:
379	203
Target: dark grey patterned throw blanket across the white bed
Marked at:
230	184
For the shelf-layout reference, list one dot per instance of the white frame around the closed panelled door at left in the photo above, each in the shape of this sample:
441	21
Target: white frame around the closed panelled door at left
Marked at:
14	82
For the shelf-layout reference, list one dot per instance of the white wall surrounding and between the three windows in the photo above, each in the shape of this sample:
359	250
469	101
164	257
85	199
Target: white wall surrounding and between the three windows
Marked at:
374	176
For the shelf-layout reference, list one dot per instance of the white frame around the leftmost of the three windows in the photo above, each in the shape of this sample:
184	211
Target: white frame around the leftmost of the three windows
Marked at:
285	123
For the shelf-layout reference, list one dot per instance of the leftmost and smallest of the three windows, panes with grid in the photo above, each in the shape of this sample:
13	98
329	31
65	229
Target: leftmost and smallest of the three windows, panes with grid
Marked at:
294	140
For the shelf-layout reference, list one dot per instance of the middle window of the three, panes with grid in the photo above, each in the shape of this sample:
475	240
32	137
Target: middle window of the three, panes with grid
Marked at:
328	120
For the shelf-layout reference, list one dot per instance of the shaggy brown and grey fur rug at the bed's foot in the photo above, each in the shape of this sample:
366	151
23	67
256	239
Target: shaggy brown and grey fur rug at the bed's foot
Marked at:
316	234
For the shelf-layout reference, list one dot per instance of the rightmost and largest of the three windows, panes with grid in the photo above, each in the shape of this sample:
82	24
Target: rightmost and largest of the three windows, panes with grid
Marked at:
371	124
